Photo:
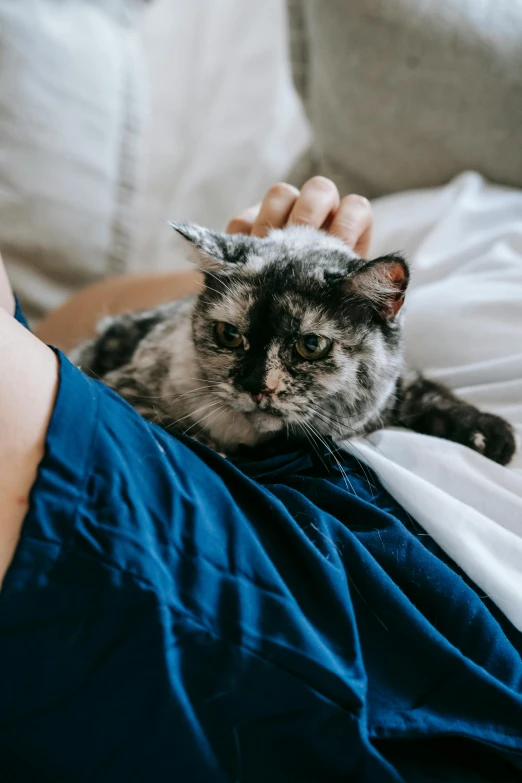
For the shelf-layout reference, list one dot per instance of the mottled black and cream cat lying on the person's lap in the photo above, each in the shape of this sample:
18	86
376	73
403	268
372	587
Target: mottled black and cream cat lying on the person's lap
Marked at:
292	335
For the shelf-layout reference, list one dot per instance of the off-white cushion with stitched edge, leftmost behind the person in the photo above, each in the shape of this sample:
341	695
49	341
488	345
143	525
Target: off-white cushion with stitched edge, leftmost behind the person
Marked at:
69	133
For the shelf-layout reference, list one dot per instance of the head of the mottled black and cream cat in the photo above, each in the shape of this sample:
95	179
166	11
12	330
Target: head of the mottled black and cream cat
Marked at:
295	331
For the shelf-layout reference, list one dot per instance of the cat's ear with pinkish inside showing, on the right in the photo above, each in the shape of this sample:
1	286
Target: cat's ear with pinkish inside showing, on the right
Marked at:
382	282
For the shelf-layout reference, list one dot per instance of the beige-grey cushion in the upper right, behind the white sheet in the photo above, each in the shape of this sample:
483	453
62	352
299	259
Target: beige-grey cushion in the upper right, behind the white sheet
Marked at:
408	93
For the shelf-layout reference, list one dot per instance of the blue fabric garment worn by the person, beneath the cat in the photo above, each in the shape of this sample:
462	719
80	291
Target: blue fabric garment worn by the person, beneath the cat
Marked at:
170	615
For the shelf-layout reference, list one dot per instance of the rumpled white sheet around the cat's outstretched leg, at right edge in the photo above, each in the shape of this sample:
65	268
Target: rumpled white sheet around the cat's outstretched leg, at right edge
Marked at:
464	328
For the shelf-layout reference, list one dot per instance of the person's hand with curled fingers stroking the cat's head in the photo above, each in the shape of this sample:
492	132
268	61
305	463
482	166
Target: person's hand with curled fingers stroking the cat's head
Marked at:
317	204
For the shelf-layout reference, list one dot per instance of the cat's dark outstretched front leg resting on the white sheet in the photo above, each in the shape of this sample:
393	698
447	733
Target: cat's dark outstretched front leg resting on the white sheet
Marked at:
432	409
